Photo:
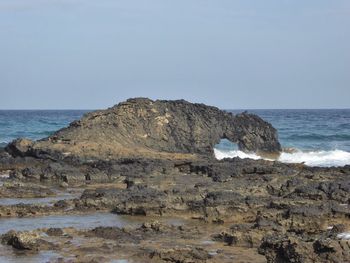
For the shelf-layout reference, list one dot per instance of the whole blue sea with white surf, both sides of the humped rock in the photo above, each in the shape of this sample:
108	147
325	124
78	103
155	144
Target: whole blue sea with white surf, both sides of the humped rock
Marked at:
314	137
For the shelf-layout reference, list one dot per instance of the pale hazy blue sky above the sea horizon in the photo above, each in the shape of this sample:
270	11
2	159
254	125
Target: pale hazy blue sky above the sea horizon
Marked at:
233	54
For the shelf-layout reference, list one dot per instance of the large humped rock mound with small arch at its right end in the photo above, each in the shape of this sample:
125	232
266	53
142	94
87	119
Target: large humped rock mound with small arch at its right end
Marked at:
147	128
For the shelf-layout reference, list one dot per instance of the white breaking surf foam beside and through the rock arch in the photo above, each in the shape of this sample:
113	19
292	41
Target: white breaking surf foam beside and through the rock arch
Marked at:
312	158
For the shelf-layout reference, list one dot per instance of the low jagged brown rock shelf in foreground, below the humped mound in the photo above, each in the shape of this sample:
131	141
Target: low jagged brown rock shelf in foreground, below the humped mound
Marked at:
284	211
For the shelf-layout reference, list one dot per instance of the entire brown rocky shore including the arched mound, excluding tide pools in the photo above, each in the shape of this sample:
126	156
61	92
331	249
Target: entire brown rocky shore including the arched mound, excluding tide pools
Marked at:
153	161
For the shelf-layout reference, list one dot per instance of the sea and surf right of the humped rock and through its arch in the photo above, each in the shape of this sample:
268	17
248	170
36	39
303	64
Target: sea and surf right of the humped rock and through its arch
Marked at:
315	137
